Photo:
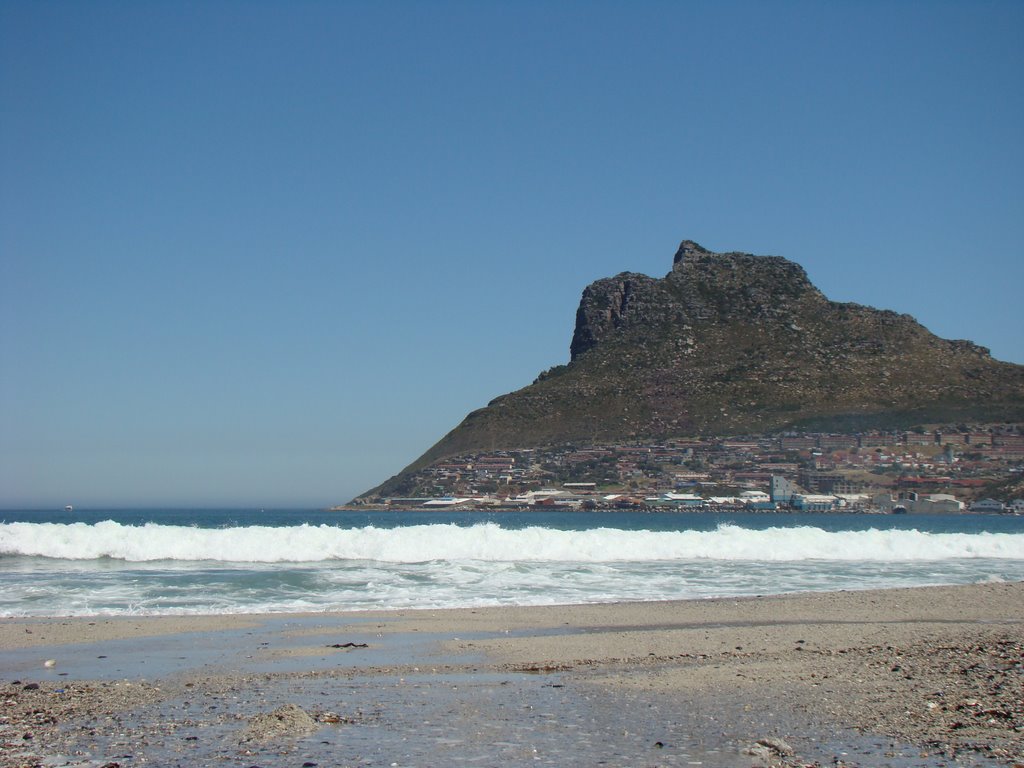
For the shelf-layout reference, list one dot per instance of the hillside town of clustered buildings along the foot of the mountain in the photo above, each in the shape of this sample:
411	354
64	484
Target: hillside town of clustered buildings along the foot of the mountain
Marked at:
940	471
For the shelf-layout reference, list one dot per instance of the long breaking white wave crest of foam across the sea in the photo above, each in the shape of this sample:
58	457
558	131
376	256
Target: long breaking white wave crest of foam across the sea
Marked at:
489	542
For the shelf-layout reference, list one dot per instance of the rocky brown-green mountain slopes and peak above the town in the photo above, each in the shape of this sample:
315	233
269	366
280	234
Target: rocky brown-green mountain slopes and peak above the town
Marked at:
733	344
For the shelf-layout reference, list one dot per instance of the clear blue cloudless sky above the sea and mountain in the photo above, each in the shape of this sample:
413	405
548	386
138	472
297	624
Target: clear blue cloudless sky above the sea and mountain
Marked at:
268	253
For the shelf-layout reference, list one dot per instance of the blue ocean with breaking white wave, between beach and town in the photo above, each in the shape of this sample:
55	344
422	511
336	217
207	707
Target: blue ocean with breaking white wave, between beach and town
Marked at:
156	563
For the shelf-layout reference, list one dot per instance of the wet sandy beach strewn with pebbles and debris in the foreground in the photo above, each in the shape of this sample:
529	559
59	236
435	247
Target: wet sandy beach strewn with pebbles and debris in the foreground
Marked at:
926	676
